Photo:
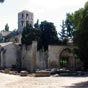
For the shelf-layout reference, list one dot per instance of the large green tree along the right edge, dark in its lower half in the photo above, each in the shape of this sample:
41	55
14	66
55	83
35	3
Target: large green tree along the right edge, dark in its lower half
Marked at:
81	34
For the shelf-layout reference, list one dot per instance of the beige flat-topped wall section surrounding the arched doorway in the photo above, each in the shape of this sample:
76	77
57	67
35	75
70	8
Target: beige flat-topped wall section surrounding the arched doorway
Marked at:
55	53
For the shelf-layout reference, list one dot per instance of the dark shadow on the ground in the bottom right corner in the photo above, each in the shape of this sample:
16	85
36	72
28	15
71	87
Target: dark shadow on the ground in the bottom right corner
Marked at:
79	85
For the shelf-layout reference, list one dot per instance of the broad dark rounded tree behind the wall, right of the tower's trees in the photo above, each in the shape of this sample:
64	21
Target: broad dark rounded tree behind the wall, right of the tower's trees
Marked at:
48	35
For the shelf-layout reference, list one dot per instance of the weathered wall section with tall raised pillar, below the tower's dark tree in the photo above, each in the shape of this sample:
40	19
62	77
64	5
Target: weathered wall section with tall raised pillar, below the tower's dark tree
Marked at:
29	57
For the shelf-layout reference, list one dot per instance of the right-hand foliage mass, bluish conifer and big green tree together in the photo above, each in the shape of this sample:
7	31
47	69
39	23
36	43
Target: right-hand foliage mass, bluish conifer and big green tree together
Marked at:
76	27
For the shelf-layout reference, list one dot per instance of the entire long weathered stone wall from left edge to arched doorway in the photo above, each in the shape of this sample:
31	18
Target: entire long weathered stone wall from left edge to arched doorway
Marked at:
27	57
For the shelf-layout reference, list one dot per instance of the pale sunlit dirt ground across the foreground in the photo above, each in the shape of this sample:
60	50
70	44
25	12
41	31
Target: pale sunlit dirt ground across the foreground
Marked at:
12	81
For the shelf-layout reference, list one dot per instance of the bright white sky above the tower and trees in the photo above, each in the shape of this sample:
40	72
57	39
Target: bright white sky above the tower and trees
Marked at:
50	10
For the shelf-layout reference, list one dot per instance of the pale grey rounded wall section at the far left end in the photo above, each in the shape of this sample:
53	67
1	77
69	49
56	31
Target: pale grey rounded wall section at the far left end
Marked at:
8	56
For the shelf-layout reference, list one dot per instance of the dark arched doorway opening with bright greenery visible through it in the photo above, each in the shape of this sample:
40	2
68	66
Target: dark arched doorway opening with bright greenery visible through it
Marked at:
64	61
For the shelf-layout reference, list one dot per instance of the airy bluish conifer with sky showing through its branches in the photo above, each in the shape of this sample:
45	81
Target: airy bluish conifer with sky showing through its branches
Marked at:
67	30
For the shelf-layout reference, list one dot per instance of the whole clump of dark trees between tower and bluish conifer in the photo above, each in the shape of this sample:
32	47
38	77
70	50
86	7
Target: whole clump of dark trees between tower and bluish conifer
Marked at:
45	33
